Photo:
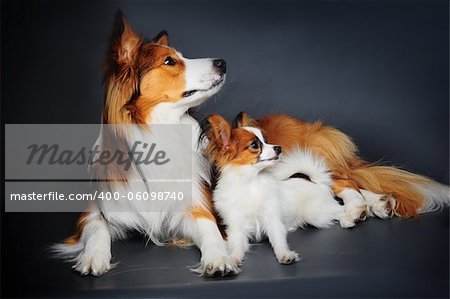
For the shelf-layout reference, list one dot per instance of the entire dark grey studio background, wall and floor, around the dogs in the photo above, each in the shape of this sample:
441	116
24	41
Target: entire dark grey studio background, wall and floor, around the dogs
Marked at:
378	70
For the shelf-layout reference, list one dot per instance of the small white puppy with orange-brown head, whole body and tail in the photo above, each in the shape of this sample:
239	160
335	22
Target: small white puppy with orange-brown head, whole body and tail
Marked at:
250	196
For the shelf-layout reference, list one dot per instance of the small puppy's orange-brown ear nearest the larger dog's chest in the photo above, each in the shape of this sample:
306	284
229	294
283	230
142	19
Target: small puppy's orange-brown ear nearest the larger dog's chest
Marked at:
217	130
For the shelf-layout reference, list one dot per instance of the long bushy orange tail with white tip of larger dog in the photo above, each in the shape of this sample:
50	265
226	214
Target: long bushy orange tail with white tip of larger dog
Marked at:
414	194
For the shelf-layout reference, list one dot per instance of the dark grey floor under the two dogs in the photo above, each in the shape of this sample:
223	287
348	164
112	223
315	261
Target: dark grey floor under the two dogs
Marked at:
379	258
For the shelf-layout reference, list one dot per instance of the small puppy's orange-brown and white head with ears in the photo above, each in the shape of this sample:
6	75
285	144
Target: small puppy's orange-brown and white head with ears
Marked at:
240	146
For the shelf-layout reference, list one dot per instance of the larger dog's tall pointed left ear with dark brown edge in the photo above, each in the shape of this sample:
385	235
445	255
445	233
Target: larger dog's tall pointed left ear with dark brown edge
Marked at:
124	43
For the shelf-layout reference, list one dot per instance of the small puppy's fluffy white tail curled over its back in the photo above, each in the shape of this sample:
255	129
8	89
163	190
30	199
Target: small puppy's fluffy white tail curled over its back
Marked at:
302	163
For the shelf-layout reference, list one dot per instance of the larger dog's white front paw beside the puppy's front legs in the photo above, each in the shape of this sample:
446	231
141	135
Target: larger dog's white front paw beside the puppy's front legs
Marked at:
216	265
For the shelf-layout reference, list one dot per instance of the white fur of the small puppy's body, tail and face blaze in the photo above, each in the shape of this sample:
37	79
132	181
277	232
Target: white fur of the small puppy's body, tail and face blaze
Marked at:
254	200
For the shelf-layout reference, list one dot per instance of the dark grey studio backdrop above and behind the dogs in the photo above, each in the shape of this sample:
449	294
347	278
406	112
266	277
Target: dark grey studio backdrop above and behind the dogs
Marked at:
378	70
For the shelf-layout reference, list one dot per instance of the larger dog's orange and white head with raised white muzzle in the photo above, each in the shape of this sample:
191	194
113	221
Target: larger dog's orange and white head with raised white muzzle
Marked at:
141	75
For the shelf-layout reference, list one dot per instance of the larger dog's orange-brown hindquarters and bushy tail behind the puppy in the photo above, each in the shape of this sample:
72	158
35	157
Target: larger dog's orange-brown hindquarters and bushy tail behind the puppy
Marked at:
366	189
